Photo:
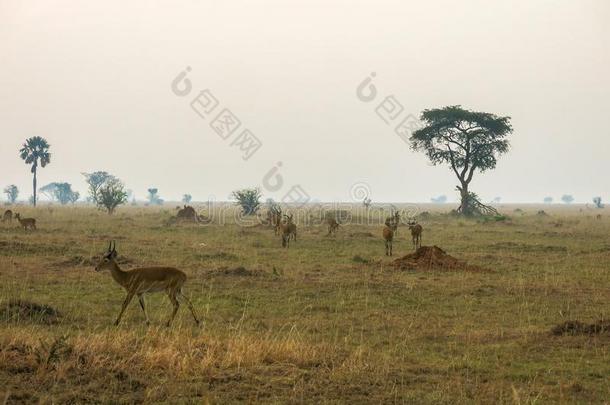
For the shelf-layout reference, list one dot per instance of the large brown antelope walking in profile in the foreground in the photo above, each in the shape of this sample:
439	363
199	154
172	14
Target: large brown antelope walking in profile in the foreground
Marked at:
146	280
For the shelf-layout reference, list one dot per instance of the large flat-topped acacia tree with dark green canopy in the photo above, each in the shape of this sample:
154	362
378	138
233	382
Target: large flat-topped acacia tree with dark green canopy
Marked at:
469	141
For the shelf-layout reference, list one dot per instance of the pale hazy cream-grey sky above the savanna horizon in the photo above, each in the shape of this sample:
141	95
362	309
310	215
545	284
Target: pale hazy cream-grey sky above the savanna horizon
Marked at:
94	78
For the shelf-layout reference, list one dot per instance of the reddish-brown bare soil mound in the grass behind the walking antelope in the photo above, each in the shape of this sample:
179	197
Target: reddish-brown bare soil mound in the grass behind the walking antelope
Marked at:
428	258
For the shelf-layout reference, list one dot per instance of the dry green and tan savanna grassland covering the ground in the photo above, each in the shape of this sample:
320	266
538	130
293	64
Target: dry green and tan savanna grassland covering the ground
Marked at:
327	321
